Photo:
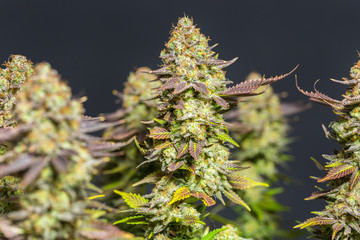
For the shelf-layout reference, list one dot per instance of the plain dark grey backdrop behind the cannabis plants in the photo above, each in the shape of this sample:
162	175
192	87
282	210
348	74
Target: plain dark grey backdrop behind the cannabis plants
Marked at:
94	45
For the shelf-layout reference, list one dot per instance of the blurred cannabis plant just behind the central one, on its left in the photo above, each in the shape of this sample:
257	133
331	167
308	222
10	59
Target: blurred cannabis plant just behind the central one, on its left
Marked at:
120	172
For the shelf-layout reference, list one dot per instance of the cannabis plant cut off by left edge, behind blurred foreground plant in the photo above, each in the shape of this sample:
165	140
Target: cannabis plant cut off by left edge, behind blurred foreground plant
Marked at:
17	70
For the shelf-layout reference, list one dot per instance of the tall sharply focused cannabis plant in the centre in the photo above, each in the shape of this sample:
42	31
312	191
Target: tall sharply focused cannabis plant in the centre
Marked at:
190	139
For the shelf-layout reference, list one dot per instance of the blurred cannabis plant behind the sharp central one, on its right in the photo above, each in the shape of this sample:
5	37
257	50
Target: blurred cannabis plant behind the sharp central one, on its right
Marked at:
259	126
